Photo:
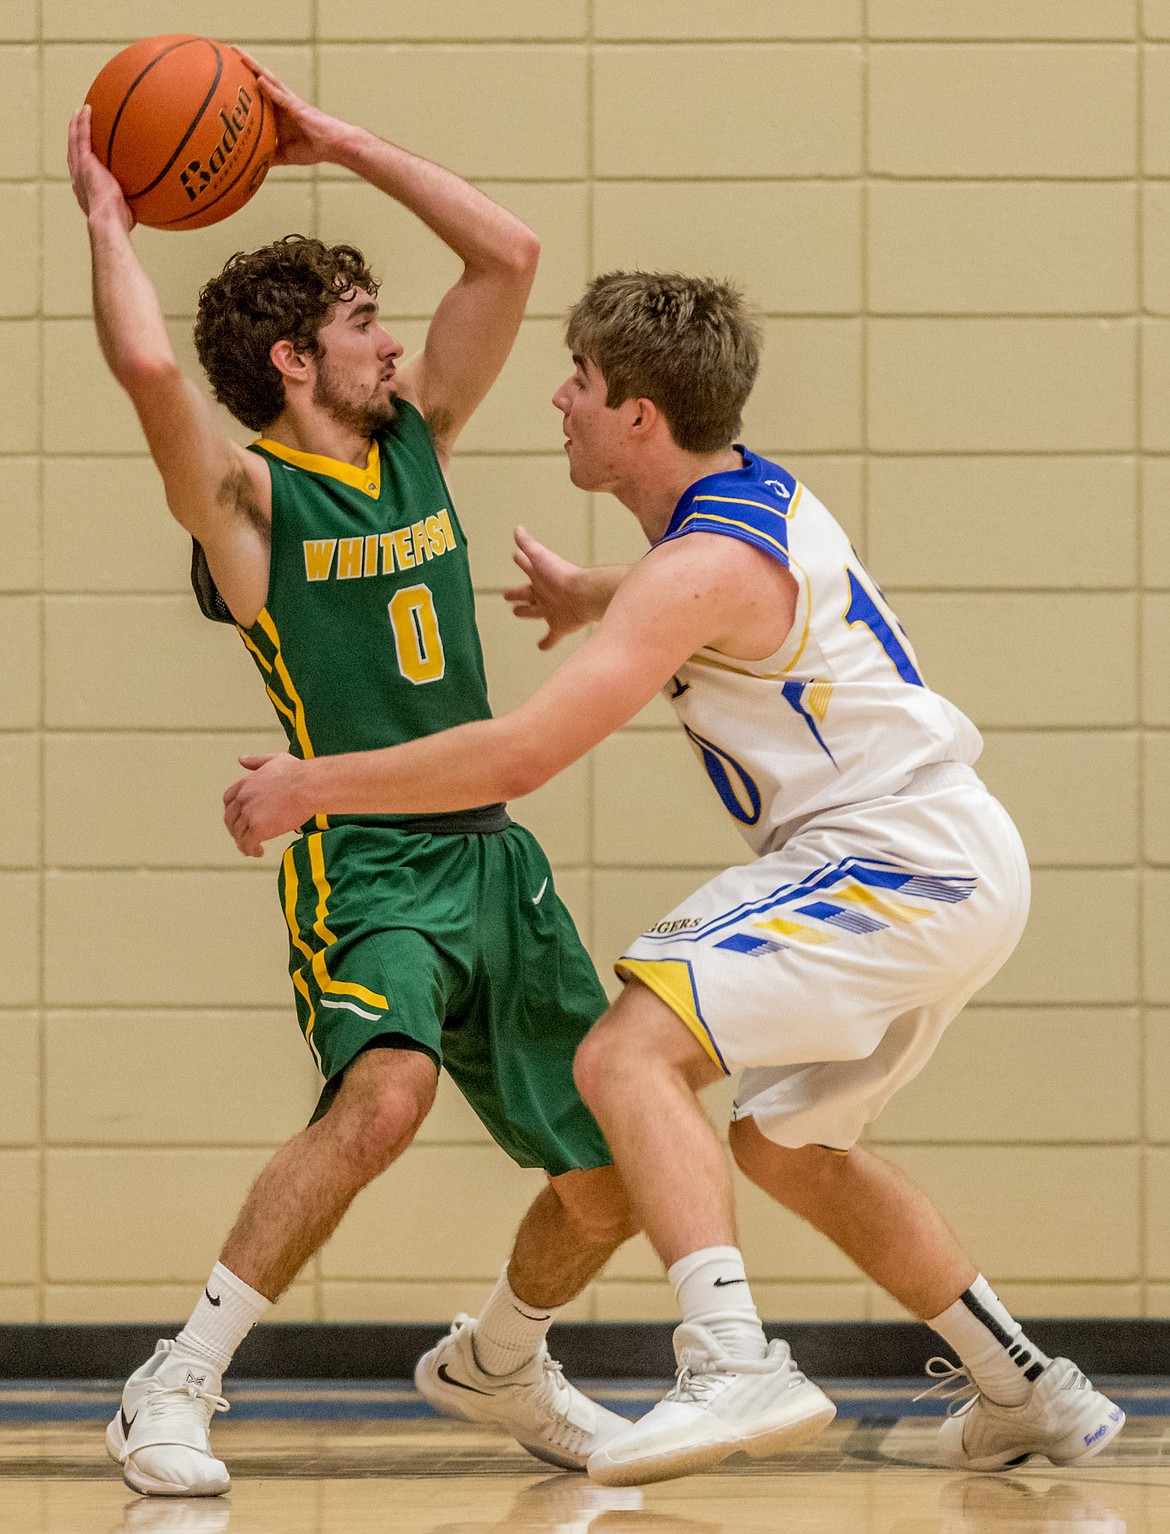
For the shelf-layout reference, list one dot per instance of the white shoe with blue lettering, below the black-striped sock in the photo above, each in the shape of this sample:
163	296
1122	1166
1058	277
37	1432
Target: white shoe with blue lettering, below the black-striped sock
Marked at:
1065	1420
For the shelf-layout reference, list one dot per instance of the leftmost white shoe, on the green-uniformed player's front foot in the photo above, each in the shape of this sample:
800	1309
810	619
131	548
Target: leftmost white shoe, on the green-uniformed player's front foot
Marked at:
162	1435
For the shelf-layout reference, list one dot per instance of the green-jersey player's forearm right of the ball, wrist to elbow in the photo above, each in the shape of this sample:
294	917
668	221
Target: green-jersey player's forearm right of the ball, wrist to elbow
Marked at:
482	234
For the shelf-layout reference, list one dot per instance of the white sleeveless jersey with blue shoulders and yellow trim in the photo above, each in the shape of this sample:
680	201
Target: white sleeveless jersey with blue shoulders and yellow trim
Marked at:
841	713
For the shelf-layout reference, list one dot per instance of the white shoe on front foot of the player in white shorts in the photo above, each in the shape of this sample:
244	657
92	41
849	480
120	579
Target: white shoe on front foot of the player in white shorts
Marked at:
718	1407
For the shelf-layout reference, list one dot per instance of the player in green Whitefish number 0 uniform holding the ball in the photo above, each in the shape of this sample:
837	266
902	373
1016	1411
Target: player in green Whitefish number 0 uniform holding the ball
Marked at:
335	548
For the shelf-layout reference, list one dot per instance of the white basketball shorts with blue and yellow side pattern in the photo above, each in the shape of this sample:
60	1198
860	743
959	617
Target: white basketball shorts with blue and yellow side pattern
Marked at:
829	970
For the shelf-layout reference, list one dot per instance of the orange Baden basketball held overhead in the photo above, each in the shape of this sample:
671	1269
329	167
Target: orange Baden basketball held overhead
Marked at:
185	128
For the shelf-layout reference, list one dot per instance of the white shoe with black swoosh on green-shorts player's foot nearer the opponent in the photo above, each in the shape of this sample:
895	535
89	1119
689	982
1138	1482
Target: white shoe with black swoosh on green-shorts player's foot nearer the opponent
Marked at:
537	1404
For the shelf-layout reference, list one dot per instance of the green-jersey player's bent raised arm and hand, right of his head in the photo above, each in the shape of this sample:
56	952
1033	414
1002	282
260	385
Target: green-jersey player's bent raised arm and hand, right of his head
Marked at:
478	320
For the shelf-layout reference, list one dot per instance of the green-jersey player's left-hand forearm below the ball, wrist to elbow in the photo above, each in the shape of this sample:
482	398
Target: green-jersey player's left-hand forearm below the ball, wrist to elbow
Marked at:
127	311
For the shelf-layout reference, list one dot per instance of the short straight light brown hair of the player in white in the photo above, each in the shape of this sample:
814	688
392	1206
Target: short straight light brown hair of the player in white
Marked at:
688	344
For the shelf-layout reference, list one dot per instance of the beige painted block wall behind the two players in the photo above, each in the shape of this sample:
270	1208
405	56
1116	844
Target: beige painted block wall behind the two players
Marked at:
956	223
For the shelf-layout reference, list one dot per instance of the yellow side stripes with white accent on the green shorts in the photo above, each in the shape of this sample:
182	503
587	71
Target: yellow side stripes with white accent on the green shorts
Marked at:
312	981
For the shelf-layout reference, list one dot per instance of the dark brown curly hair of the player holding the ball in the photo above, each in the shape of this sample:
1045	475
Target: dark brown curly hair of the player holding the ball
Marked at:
281	292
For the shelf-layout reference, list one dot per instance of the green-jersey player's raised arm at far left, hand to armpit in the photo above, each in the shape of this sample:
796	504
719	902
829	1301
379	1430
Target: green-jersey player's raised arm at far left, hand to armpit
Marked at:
214	489
